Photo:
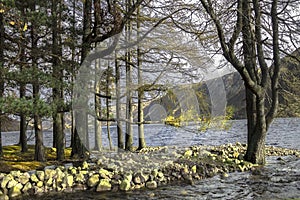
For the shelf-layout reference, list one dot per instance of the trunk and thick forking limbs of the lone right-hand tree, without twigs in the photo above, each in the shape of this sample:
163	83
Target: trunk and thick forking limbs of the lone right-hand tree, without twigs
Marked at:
254	59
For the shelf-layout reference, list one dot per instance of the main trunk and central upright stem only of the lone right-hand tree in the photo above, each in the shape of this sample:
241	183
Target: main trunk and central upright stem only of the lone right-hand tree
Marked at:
255	98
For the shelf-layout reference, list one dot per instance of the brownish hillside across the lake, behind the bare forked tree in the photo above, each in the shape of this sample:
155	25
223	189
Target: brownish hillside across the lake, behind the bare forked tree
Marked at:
289	94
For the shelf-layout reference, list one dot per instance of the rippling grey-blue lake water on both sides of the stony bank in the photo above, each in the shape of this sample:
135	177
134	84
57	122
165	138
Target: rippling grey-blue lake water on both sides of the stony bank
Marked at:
279	179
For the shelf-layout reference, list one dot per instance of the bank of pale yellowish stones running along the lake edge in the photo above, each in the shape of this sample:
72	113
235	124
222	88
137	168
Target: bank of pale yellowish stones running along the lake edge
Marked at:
148	168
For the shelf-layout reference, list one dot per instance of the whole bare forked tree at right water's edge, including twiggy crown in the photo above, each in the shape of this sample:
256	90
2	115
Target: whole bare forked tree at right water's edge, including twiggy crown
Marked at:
257	31
